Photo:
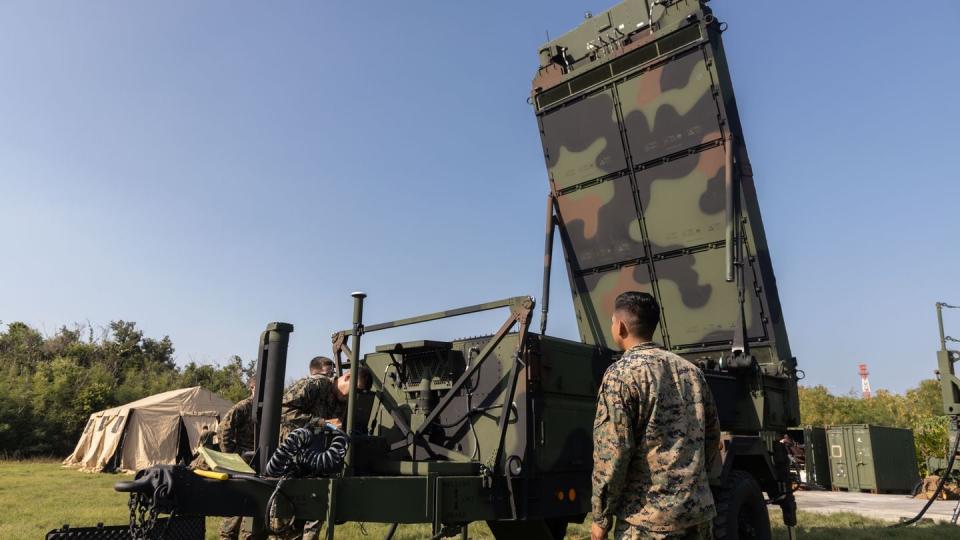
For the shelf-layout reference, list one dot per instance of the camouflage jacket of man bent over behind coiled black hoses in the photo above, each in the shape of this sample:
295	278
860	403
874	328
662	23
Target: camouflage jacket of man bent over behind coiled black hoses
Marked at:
310	402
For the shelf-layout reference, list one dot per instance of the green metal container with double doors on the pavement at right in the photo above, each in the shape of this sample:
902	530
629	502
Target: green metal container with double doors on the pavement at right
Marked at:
872	458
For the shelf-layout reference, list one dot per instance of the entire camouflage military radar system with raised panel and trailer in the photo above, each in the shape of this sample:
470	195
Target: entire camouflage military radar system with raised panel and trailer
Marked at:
650	188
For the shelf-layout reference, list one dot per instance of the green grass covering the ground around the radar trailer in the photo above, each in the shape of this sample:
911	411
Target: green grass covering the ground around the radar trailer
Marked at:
37	496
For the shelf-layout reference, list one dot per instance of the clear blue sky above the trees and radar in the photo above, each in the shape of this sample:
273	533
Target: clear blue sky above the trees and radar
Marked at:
204	168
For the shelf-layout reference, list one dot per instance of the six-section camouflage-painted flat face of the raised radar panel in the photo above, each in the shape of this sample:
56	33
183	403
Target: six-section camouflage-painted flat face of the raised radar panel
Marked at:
666	219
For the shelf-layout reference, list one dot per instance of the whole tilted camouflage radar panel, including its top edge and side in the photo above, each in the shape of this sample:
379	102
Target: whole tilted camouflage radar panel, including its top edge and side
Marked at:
651	179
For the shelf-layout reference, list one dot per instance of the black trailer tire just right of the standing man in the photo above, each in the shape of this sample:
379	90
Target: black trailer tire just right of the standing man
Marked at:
741	509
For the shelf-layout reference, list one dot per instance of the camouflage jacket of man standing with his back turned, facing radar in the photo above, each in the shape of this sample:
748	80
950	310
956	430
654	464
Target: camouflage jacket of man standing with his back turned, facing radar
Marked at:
655	433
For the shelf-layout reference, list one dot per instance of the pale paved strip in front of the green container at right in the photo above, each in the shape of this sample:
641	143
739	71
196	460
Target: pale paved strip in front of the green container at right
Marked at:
887	507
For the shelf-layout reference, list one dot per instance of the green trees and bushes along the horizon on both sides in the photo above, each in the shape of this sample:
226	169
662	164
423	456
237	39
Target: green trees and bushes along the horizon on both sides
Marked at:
49	386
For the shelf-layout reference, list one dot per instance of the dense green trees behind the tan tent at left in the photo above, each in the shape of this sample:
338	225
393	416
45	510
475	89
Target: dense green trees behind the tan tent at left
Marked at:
49	385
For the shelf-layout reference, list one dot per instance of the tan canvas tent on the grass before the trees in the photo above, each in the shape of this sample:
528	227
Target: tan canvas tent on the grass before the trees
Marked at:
150	431
